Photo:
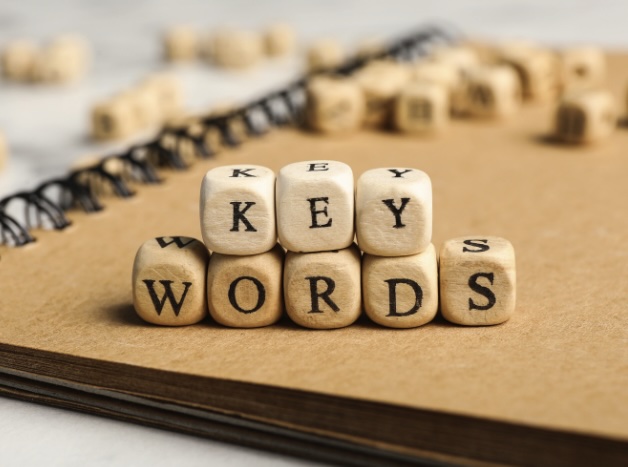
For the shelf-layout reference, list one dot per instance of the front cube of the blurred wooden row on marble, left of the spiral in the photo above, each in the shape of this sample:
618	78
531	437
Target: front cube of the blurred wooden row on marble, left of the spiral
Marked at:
113	119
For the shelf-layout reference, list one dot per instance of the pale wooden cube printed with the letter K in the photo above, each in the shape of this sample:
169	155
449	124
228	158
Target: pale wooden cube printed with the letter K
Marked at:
238	209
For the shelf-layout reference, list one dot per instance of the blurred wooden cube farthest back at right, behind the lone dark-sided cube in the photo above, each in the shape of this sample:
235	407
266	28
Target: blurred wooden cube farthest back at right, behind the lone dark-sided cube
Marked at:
582	68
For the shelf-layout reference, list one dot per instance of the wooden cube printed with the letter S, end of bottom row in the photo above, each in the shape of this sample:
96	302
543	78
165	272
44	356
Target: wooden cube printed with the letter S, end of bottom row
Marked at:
477	280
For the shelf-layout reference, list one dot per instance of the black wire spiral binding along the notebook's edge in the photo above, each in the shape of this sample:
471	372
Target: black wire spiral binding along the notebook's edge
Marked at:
45	206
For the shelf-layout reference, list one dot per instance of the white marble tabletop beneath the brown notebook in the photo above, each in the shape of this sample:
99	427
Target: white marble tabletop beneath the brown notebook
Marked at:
47	130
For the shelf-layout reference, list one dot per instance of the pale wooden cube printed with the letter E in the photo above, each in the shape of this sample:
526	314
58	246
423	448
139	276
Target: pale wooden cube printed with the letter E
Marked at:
315	206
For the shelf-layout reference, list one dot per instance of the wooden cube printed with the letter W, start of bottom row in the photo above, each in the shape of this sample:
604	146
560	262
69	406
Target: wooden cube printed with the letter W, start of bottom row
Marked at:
169	281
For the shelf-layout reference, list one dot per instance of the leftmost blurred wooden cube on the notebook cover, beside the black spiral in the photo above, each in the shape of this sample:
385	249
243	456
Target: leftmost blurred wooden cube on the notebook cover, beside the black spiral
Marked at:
334	105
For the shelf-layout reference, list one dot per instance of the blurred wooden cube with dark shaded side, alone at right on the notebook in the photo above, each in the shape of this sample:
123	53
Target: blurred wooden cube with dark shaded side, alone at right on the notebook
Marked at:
586	117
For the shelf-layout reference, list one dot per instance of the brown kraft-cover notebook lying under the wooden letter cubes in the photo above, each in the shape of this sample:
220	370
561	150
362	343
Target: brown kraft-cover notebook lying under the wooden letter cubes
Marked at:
550	386
